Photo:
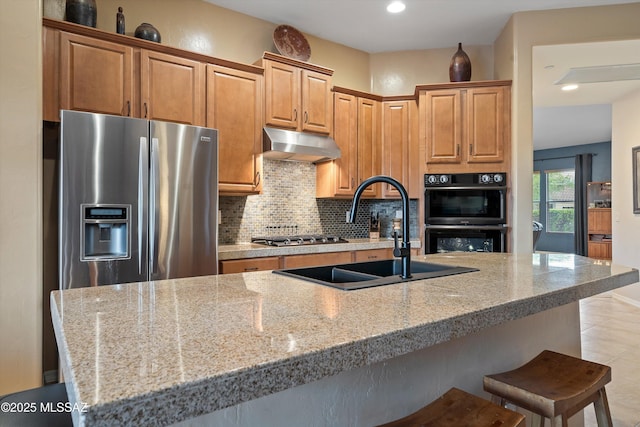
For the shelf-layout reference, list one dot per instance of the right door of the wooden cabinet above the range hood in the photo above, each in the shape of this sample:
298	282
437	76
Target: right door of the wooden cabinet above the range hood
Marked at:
317	102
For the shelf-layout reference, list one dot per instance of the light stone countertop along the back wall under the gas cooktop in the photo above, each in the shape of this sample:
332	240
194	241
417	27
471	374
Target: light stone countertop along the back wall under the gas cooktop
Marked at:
253	250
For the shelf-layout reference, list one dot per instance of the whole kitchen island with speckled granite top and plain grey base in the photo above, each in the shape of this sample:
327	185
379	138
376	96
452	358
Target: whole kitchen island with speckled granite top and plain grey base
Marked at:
263	349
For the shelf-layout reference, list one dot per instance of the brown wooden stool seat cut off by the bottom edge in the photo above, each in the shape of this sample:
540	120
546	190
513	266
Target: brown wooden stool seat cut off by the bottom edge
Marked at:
457	408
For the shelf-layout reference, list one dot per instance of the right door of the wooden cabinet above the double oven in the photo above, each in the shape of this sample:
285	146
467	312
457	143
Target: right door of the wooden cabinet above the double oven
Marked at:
485	124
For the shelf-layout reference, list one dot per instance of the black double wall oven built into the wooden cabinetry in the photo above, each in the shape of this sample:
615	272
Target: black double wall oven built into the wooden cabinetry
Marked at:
465	212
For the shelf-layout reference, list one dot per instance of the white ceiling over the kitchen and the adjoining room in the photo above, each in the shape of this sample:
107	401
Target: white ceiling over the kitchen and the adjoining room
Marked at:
560	118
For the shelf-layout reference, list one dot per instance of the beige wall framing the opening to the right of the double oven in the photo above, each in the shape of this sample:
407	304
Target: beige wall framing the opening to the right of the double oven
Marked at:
528	29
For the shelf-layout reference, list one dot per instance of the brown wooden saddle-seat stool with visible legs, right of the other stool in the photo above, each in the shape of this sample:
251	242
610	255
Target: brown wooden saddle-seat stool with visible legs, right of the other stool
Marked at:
555	386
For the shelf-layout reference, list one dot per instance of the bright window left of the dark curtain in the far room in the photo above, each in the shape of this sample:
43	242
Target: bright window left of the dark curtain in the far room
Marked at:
560	201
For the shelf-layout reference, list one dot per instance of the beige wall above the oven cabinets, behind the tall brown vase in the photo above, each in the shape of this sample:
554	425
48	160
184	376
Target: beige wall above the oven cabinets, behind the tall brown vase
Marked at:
398	73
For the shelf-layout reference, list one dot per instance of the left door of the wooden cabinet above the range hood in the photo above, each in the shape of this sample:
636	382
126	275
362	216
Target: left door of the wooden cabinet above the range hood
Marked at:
282	94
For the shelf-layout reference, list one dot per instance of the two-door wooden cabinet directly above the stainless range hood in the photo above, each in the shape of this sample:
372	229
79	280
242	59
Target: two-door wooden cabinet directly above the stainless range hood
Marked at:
296	97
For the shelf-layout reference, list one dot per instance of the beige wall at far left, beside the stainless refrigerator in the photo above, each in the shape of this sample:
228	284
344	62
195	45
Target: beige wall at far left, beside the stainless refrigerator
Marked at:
20	193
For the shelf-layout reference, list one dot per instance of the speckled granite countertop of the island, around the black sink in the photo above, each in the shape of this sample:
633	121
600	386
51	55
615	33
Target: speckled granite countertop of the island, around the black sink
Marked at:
162	352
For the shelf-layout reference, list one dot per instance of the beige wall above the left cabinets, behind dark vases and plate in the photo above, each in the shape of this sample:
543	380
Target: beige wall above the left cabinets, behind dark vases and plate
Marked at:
201	27
